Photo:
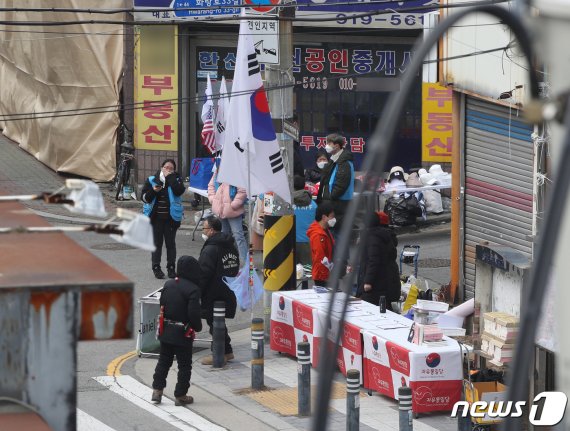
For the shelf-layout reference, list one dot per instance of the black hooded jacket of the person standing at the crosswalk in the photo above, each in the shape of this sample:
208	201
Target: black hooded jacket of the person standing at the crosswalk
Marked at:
181	297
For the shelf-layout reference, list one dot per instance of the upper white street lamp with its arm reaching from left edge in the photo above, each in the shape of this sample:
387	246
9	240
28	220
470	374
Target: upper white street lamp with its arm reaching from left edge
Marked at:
83	197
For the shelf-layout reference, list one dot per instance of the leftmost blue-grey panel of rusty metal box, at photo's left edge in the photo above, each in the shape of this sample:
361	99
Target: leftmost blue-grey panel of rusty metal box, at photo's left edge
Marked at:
13	343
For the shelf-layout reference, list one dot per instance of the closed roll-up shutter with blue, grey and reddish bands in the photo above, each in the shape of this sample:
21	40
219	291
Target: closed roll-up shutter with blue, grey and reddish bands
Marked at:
499	166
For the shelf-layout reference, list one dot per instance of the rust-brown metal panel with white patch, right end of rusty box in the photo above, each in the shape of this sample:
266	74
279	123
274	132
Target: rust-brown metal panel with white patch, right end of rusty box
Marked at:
106	315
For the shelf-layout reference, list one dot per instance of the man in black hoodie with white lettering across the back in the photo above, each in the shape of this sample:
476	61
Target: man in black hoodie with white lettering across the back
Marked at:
218	258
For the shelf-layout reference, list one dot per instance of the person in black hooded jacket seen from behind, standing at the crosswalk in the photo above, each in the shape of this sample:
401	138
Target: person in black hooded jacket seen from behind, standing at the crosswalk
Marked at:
181	301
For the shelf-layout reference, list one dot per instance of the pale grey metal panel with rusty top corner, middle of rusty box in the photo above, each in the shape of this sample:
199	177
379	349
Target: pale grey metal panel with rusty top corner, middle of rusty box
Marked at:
51	359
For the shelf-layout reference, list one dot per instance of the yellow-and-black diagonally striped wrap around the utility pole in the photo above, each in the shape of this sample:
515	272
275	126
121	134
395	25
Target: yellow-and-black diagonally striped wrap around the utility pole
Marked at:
279	253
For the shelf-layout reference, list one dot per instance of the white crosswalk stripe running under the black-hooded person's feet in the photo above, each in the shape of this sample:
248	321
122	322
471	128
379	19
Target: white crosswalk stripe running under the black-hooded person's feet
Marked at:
139	394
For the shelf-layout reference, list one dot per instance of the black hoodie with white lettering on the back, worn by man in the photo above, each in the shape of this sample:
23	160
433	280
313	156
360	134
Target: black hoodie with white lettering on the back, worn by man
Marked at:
212	286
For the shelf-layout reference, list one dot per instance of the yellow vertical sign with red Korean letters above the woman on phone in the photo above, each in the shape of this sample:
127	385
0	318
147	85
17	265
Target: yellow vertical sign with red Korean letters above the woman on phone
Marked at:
156	88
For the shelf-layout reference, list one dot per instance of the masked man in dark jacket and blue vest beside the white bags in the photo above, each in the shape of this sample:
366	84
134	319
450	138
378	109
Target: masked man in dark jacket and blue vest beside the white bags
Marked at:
337	179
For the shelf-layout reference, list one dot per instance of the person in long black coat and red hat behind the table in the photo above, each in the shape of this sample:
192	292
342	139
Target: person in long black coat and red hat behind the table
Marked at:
379	274
